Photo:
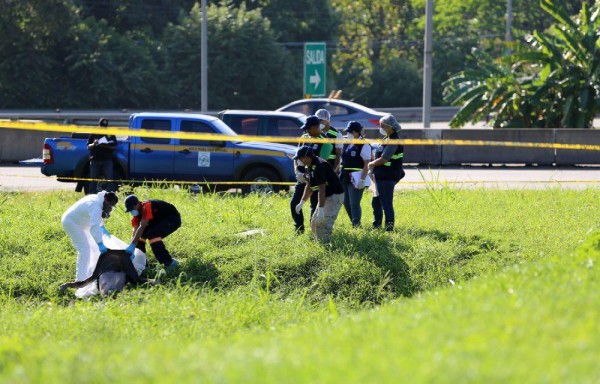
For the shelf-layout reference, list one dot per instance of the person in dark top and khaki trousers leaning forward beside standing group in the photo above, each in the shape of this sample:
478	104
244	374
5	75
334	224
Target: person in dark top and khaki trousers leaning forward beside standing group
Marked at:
320	179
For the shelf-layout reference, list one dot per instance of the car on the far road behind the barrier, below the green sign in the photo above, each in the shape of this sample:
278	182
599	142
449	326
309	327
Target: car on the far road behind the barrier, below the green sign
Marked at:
341	111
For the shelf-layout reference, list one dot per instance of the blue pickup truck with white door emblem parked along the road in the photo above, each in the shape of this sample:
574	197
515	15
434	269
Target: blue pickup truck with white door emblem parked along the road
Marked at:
139	159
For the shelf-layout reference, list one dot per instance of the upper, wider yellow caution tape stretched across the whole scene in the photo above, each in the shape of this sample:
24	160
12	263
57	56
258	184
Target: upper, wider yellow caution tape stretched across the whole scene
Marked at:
37	126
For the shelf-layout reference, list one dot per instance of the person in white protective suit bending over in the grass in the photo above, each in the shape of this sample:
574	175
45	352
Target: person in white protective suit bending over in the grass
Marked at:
84	224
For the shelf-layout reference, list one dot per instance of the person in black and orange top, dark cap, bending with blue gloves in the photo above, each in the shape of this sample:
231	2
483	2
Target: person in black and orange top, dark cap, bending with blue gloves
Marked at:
152	220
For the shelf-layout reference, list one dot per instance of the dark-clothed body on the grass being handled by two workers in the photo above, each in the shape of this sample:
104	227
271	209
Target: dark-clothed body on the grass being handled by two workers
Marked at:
113	270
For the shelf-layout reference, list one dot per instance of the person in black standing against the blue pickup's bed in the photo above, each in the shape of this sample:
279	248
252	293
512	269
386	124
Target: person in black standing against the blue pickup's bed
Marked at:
101	149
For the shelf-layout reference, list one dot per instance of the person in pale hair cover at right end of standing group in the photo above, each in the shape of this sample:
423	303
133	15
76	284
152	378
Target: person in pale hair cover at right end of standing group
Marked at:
387	171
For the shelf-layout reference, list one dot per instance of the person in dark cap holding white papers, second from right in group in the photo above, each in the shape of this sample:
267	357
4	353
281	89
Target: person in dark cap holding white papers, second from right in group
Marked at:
355	165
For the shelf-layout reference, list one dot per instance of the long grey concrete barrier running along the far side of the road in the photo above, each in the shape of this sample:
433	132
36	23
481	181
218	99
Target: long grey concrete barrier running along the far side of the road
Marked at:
16	145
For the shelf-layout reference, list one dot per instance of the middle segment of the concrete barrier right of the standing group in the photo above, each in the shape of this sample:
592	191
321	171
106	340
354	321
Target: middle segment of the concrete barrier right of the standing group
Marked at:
456	155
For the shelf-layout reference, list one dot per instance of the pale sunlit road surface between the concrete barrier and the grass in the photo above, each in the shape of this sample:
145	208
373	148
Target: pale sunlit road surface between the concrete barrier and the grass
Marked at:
29	179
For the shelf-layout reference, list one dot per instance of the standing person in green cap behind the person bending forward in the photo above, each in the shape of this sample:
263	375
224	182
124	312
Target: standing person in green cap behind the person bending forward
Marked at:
311	130
